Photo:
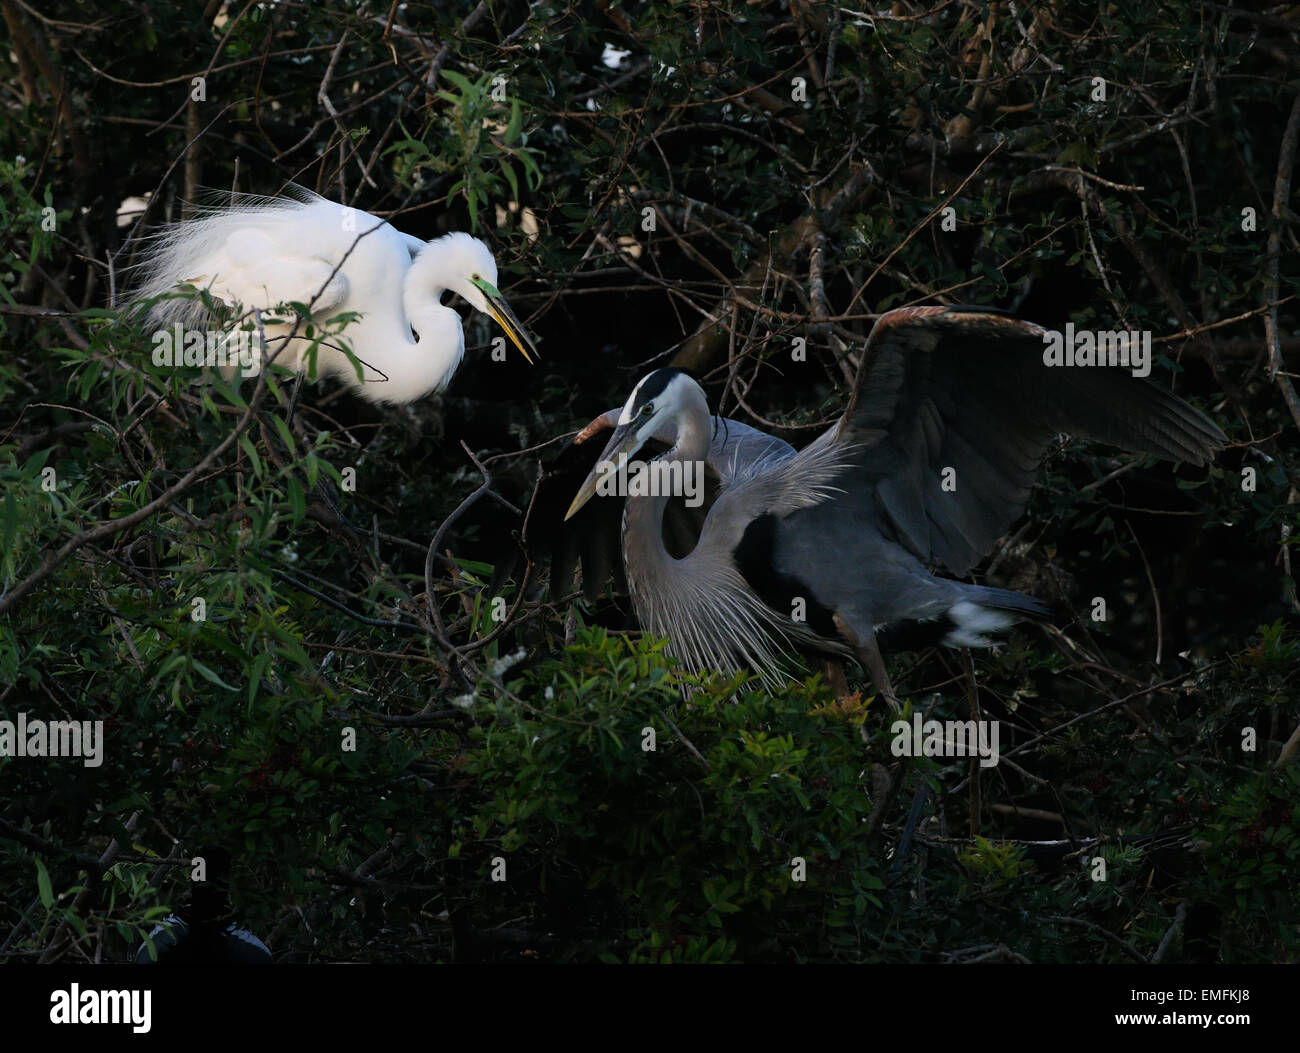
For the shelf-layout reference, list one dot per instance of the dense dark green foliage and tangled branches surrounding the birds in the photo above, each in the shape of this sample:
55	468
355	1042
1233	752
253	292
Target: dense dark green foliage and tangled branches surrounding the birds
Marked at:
704	184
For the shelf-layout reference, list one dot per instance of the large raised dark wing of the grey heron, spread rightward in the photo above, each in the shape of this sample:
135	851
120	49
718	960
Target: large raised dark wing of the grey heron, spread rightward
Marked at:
968	391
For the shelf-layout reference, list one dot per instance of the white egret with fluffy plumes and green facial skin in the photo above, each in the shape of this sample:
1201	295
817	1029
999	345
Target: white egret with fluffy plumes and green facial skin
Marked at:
270	252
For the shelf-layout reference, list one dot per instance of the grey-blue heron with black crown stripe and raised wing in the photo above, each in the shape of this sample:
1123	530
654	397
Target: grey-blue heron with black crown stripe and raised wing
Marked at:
951	415
